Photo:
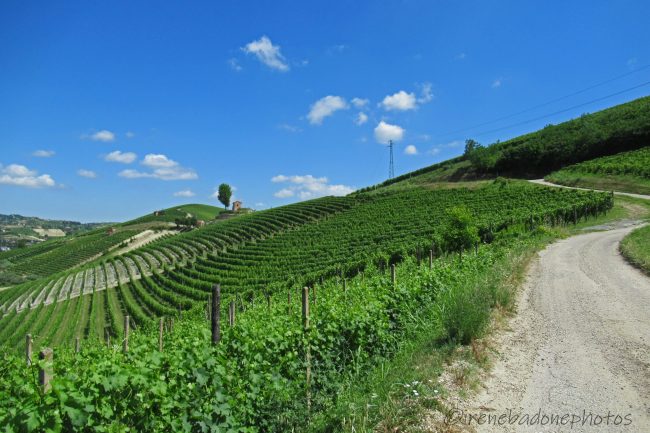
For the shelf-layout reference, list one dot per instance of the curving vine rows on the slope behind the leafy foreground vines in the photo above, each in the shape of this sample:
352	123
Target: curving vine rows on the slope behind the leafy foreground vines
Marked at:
270	251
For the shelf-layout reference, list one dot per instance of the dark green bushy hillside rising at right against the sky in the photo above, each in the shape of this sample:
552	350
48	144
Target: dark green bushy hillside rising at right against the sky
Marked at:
617	129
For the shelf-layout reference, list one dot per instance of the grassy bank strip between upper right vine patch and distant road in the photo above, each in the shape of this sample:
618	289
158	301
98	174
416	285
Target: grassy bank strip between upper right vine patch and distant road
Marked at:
632	184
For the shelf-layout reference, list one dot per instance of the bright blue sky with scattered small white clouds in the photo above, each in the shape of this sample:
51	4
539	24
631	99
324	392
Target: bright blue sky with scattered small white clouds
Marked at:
136	106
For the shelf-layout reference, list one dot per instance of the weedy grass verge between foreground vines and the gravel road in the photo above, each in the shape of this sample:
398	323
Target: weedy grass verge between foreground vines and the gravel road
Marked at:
399	394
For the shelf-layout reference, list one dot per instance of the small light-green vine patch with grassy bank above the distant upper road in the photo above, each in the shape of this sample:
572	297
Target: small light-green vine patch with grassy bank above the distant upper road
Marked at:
626	171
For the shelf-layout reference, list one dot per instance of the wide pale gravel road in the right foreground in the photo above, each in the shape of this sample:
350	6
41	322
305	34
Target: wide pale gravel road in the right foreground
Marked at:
580	343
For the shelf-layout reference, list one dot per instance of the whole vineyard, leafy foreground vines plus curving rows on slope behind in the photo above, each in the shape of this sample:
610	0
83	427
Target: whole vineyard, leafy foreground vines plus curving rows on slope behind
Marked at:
342	248
